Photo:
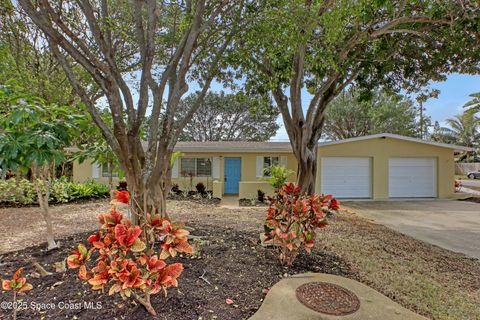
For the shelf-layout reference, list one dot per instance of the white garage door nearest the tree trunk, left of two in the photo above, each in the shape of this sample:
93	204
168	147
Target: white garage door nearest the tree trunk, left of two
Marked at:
347	177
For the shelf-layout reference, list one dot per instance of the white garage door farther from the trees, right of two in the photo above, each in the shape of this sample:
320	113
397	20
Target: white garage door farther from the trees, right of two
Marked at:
412	177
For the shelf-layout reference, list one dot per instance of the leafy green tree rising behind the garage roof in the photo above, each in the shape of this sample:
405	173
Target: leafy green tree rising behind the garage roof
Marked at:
351	116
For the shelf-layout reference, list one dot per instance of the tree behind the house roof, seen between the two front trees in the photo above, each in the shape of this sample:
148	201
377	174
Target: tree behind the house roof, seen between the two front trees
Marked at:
230	117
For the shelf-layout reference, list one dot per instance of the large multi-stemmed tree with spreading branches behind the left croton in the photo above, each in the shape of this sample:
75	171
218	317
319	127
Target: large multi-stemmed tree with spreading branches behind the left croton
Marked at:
154	48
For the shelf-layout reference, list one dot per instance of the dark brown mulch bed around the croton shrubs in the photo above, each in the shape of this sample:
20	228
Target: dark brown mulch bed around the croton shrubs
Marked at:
234	263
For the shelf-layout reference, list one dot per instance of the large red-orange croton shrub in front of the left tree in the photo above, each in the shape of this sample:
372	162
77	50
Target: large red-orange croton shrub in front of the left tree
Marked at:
130	259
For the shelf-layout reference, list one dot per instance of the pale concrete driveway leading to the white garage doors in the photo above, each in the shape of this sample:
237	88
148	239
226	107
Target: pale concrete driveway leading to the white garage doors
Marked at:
453	225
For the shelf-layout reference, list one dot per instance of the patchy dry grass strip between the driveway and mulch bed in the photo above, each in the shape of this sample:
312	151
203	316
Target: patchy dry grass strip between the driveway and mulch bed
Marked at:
429	280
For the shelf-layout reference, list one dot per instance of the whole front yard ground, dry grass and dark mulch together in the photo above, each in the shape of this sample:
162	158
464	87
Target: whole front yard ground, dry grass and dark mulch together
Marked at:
232	264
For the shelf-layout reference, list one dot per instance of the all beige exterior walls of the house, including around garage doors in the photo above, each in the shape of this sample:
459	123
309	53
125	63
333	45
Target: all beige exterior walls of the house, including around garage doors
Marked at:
380	150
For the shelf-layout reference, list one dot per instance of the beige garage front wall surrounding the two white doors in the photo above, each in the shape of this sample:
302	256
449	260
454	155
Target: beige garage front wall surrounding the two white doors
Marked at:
380	150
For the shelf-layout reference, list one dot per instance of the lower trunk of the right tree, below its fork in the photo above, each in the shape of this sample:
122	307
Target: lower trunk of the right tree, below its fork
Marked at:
306	168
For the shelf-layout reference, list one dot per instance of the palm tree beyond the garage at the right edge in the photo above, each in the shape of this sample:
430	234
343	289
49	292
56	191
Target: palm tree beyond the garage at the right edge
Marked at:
465	130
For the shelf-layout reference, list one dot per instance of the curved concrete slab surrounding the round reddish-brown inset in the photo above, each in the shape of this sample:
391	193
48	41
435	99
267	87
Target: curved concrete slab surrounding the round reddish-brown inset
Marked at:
281	302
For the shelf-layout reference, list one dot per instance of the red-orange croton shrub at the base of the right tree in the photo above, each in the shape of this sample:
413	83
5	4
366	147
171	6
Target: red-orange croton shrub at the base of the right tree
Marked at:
293	220
